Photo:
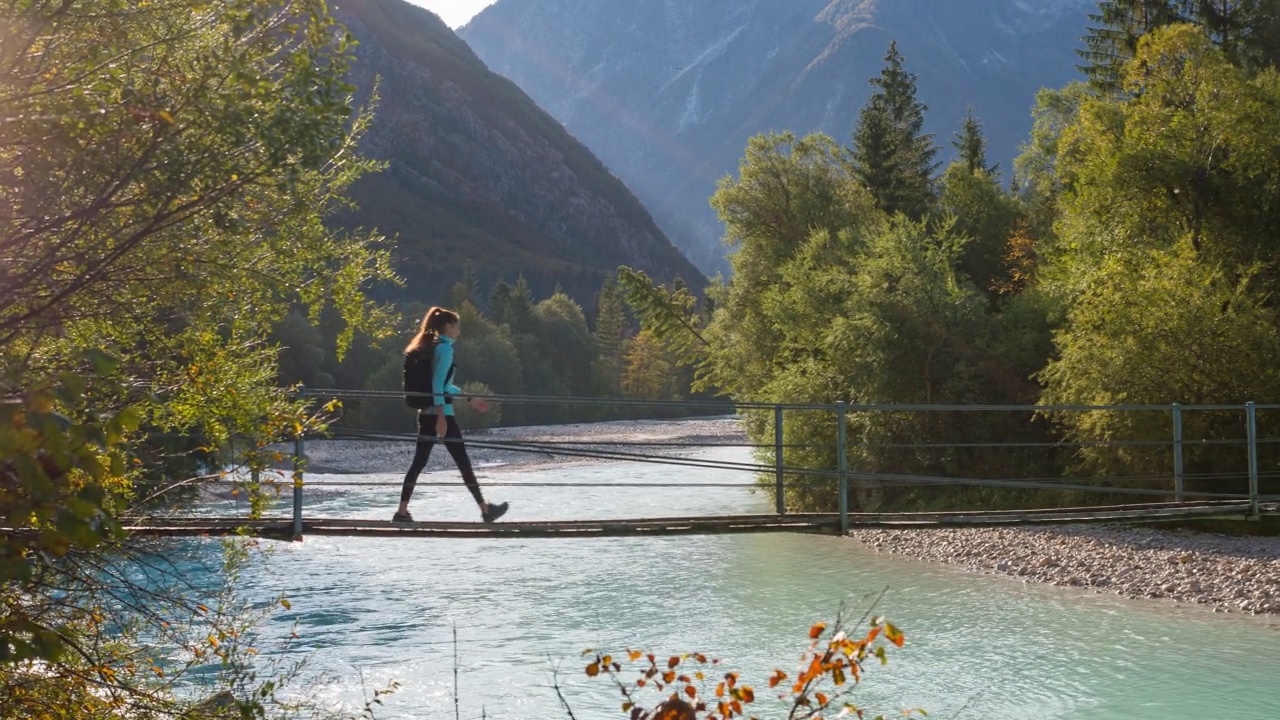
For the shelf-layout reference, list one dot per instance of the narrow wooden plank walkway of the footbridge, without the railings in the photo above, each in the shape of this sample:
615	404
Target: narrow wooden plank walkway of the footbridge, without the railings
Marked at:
824	523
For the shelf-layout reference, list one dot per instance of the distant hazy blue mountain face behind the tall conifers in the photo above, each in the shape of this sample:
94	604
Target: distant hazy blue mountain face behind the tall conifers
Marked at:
669	92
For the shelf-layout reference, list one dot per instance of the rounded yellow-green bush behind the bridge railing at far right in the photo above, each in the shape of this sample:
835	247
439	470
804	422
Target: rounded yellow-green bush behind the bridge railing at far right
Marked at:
1163	327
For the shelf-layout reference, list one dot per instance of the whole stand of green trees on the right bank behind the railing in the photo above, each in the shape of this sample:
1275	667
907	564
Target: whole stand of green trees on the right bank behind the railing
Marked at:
1131	261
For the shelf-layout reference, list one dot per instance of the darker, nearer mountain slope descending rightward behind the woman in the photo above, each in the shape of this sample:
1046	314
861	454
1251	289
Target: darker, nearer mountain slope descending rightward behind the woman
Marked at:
479	177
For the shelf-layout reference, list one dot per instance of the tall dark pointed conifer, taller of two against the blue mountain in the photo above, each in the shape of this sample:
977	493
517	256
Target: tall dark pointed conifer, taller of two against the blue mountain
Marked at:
892	154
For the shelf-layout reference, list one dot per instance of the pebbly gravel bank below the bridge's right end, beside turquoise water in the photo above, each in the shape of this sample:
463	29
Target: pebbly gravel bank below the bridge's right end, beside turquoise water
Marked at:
1232	575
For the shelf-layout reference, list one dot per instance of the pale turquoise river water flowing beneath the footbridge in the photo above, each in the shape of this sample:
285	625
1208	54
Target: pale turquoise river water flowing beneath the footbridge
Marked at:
371	610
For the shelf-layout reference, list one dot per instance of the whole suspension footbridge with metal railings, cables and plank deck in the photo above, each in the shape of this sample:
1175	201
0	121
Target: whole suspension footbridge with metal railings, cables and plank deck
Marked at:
1153	498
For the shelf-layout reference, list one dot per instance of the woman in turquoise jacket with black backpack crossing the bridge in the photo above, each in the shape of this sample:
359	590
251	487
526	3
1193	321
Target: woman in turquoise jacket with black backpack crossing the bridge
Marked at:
429	386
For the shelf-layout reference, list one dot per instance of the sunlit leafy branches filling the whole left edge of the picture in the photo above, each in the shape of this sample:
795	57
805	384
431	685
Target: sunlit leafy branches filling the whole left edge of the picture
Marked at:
167	176
